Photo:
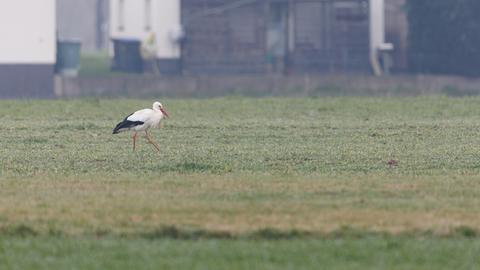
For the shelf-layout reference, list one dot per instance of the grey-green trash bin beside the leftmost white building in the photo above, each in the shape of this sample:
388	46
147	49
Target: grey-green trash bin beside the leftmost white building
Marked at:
68	57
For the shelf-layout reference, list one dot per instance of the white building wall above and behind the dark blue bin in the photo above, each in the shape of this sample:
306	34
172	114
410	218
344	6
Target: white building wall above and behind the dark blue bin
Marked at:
130	21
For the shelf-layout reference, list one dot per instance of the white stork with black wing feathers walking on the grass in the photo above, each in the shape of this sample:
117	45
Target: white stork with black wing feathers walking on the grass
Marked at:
142	120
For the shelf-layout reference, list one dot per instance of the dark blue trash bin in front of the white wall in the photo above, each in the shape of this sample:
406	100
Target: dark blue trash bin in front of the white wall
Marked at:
127	56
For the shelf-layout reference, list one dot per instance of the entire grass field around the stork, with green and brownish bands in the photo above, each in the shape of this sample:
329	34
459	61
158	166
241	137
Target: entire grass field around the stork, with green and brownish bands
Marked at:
346	183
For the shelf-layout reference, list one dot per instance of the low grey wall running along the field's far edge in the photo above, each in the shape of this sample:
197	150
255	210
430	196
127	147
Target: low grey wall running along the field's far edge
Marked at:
308	85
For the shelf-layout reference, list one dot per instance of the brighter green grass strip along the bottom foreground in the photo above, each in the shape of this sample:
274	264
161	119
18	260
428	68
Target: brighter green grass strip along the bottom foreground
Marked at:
364	253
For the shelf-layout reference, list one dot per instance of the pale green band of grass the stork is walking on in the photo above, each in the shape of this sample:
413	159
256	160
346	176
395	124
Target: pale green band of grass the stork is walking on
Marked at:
273	136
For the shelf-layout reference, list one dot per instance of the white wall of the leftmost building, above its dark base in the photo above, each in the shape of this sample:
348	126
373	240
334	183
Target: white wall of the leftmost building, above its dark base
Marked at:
27	31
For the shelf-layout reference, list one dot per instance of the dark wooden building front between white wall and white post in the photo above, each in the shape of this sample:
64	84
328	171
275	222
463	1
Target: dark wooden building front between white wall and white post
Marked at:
281	36
